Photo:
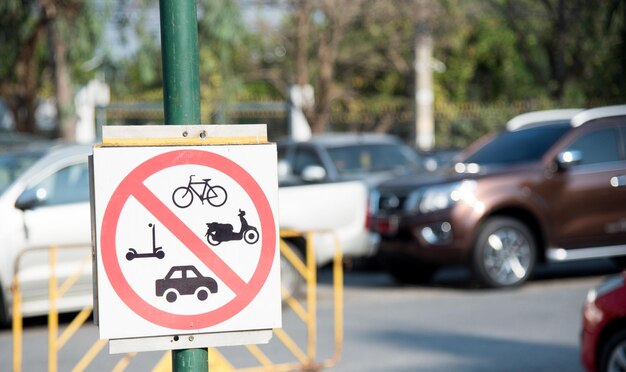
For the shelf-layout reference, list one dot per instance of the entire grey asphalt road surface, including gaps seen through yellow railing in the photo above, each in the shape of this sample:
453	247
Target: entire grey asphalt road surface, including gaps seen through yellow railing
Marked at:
446	326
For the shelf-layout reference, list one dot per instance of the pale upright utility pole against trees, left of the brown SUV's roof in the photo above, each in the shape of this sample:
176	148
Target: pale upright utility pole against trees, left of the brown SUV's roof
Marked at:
424	96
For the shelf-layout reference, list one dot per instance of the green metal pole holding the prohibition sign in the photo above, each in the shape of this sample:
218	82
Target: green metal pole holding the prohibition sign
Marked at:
181	102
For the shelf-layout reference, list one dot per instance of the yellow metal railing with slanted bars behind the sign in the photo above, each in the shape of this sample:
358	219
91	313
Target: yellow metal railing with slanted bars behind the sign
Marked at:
306	359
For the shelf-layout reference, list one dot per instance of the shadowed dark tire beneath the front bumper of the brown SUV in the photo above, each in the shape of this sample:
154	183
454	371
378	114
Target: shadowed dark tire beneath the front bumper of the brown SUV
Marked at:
408	271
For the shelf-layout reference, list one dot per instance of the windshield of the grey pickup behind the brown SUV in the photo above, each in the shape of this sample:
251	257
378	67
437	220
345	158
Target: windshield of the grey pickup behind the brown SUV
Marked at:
361	158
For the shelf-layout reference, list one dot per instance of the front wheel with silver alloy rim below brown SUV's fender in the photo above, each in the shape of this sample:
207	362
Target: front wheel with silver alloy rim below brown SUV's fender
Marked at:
504	254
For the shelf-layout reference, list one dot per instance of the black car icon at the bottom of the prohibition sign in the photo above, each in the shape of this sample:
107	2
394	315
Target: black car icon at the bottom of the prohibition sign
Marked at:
185	280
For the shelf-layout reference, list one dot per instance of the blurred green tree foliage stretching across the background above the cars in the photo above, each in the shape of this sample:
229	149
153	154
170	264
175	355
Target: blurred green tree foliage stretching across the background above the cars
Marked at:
501	57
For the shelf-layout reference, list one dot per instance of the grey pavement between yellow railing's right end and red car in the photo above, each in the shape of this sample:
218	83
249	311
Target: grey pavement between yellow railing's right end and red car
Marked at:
451	325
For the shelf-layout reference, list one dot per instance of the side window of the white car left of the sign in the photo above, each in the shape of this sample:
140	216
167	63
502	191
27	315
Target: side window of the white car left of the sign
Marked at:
68	185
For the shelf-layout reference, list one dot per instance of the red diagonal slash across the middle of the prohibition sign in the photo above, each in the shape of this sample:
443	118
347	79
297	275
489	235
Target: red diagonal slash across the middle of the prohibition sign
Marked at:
188	238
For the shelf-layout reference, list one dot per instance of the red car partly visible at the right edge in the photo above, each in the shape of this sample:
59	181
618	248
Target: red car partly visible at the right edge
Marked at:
603	343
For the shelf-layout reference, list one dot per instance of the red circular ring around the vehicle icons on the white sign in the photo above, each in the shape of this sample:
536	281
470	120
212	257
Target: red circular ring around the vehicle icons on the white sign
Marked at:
132	185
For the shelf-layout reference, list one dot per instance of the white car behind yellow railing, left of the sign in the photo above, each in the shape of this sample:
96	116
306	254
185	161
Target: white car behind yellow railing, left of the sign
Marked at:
44	201
